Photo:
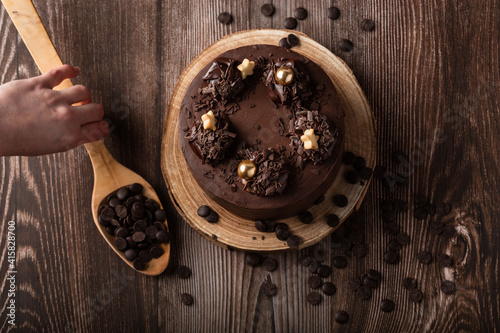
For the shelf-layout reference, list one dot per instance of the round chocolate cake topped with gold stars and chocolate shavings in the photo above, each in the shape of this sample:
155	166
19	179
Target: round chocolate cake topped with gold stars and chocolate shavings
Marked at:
262	131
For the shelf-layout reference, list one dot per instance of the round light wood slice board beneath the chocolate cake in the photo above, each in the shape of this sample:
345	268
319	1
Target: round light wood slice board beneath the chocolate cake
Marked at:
233	231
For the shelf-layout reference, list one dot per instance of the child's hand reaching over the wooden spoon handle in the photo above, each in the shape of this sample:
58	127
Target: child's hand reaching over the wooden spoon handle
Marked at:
36	120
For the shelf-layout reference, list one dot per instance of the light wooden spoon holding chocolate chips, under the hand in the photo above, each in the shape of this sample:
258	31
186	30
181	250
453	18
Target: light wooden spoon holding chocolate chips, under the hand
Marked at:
109	175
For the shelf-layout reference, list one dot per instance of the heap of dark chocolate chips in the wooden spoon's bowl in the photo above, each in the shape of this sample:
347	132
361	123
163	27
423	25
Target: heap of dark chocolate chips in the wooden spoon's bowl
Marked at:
136	222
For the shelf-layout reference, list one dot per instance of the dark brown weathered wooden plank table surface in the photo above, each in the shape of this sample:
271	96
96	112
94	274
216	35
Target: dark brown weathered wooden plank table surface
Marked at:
430	70
